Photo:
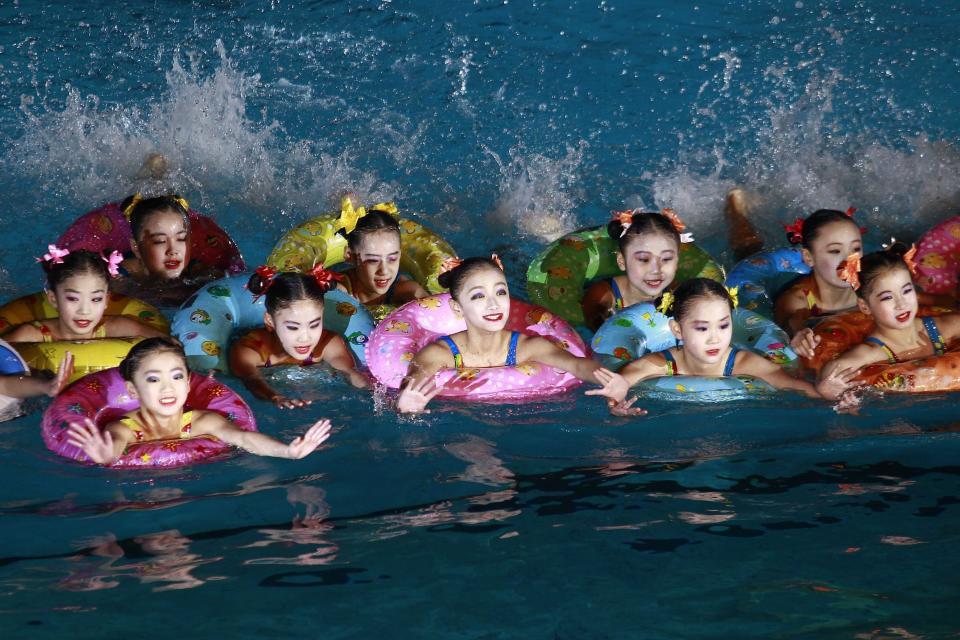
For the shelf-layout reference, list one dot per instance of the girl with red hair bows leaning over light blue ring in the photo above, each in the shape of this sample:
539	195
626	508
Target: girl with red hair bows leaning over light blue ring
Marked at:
293	333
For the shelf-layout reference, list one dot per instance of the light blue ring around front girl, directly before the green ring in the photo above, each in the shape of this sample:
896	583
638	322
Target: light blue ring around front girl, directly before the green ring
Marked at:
641	329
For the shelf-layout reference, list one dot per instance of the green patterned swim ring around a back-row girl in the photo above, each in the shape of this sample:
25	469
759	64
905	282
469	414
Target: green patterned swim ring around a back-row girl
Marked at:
558	277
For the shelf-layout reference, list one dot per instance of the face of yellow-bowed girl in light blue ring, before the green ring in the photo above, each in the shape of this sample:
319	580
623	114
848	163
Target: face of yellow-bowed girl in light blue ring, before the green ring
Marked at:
706	330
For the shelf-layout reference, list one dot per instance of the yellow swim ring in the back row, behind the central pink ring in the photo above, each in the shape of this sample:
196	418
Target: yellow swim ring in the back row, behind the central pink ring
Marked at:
316	241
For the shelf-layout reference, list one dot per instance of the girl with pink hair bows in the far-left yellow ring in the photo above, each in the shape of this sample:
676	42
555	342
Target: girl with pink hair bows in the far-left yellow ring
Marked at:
78	288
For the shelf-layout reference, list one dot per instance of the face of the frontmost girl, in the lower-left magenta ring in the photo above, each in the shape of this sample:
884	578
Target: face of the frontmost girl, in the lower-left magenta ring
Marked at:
161	383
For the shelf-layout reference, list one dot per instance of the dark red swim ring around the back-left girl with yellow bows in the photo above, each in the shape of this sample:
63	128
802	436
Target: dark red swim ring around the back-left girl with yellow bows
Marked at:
106	229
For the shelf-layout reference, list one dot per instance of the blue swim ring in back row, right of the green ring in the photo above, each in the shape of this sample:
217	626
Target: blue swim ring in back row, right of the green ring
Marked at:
759	277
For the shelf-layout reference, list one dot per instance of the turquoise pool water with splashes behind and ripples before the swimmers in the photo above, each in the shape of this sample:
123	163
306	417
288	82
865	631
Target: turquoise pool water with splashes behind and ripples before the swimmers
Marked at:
505	125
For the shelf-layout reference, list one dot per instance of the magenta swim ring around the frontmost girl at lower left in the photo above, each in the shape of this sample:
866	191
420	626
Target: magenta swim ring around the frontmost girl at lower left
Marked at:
102	396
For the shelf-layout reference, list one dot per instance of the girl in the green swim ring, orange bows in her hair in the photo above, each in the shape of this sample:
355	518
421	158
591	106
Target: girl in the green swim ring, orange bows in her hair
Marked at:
649	247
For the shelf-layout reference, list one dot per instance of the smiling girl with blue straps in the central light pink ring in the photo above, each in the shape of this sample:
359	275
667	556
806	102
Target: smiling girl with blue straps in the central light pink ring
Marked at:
478	290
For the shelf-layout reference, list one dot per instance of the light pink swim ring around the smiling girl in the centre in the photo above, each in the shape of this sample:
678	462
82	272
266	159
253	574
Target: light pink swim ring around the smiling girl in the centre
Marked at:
416	324
